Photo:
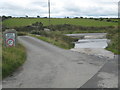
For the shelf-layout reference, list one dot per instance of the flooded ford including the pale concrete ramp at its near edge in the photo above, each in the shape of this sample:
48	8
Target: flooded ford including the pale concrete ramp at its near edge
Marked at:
93	44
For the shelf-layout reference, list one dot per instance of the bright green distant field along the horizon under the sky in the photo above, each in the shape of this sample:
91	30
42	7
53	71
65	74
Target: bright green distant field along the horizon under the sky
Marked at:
17	22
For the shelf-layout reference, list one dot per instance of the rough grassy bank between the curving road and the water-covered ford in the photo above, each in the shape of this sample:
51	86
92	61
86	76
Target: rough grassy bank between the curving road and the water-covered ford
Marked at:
56	39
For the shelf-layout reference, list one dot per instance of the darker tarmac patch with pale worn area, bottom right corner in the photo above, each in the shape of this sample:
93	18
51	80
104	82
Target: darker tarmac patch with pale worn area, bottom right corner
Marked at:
107	77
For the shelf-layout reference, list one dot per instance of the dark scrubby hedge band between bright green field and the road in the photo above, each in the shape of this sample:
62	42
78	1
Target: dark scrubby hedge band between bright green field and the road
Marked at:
63	28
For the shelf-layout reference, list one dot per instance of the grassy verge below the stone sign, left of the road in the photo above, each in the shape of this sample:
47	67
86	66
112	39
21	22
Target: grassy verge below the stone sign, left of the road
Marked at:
12	58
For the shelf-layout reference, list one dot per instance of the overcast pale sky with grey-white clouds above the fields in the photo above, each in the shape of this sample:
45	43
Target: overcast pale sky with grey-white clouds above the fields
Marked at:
60	8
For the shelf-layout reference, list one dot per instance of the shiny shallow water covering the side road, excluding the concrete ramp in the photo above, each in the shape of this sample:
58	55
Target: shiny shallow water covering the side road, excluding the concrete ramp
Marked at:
90	40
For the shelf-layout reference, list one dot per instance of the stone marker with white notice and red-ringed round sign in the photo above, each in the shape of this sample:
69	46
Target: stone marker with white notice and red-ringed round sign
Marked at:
10	38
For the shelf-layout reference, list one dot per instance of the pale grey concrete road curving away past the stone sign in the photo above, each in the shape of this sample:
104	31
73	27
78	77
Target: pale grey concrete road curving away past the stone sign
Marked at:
48	66
